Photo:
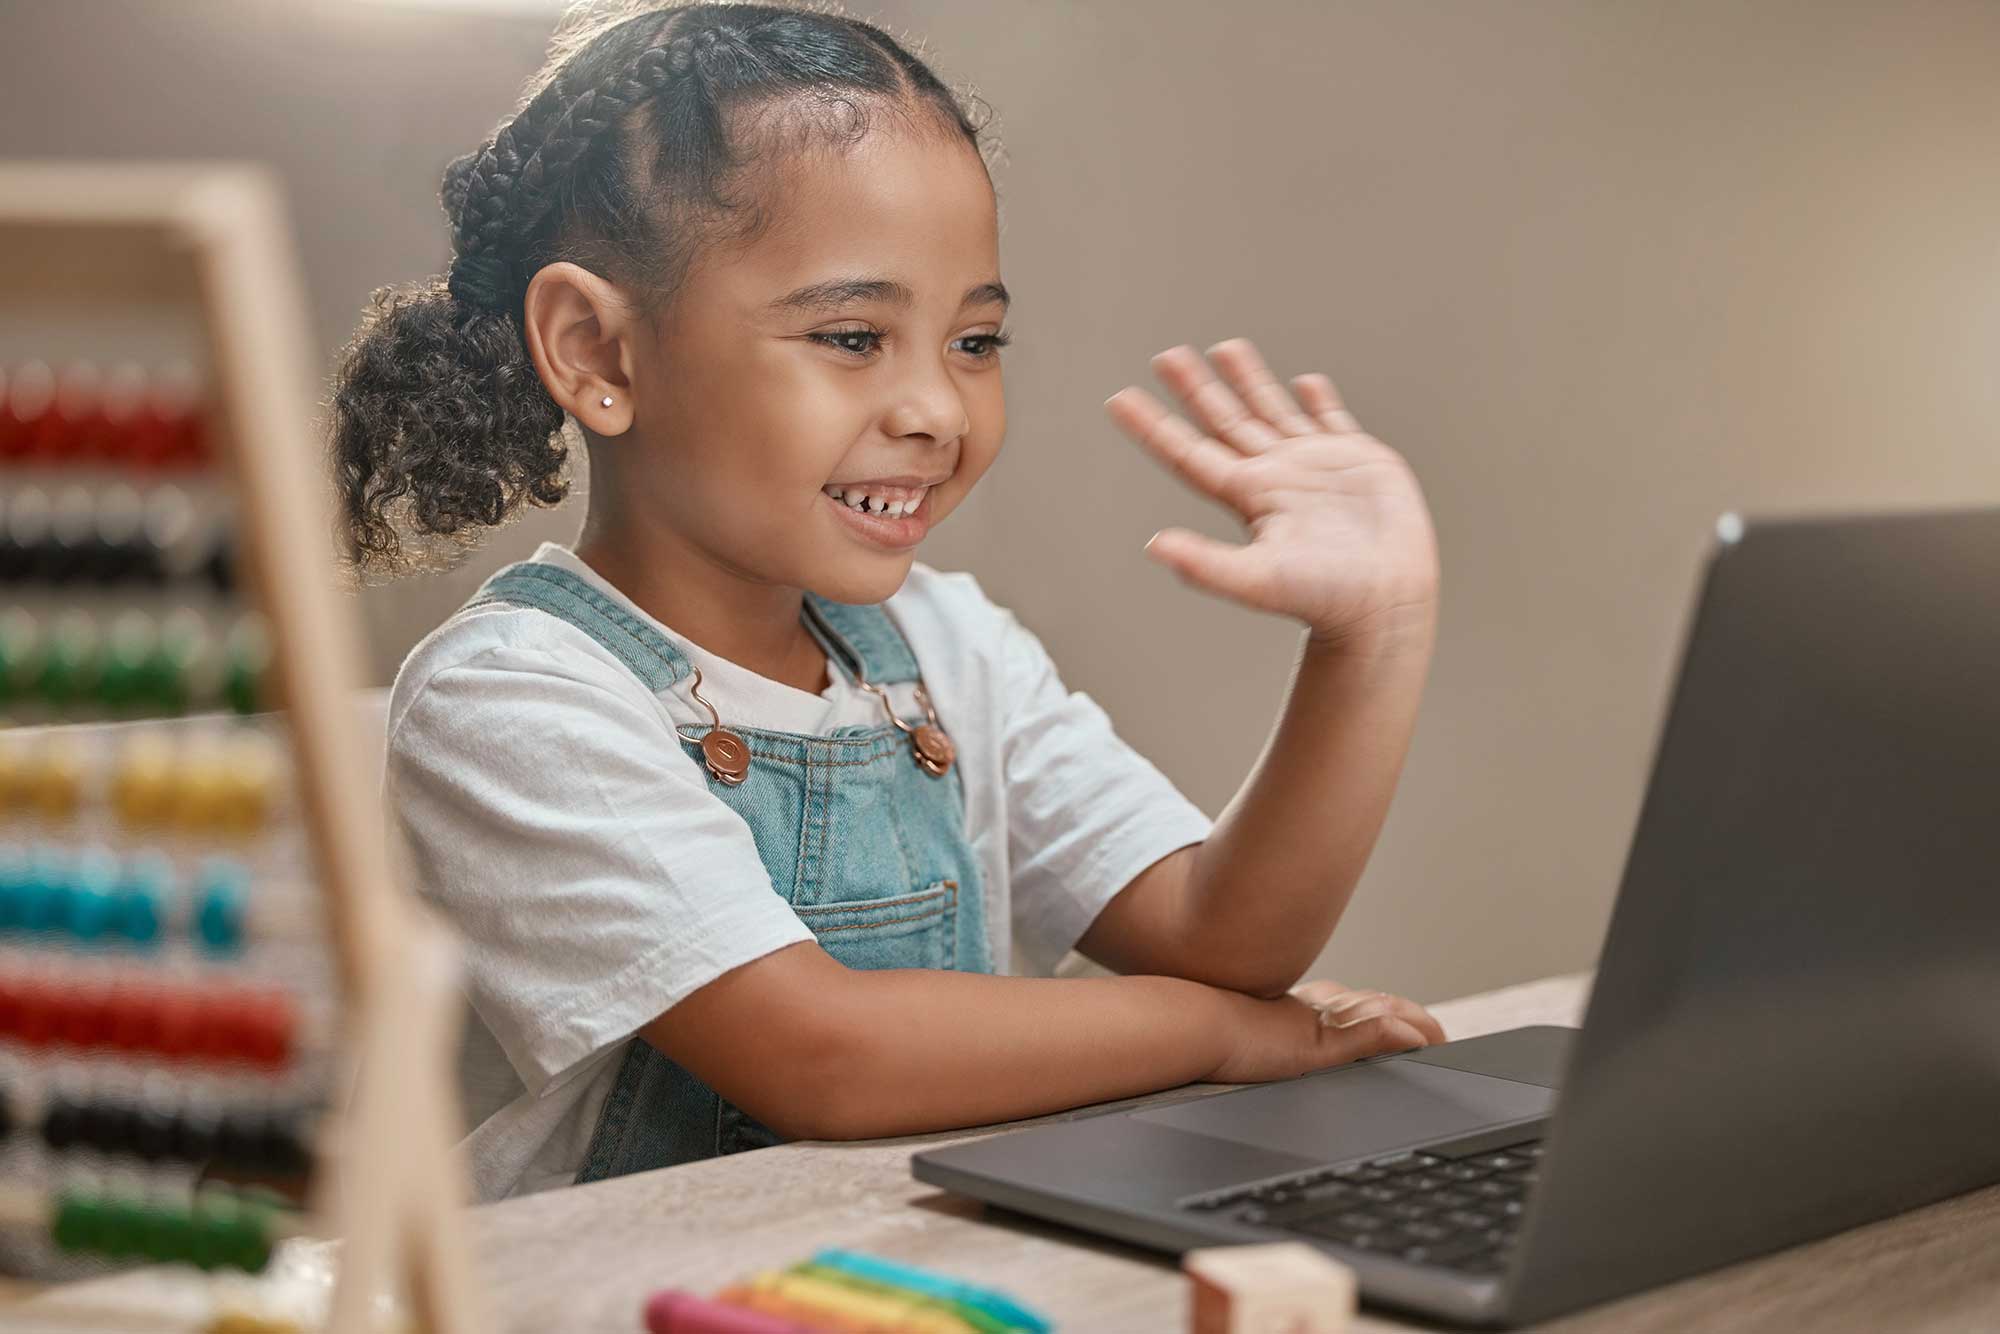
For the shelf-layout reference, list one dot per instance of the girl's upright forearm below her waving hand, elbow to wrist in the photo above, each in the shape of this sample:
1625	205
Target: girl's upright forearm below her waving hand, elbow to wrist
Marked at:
1277	873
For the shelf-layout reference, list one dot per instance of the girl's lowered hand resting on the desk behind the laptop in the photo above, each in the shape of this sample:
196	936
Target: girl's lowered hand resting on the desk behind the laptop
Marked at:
1315	1027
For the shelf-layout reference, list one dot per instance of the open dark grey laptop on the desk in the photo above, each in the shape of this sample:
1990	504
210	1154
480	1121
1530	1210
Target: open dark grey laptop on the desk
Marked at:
1795	1025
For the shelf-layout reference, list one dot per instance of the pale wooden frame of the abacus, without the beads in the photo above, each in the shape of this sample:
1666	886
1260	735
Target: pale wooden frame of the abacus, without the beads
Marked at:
215	237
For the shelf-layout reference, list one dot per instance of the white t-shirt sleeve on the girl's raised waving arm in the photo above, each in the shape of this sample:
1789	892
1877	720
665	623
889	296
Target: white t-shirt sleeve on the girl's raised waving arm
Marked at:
1085	811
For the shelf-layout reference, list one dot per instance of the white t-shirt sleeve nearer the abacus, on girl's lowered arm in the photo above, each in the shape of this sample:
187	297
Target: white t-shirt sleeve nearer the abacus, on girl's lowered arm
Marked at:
577	851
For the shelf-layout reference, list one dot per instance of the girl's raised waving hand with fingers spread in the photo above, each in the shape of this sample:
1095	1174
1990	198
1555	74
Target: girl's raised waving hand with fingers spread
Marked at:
1339	529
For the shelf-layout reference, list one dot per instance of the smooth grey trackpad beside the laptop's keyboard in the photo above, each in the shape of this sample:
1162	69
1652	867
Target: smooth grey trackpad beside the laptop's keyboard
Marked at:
1359	1111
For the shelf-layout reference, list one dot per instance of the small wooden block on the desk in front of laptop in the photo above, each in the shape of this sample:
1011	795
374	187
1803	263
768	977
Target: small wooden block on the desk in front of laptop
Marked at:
1283	1289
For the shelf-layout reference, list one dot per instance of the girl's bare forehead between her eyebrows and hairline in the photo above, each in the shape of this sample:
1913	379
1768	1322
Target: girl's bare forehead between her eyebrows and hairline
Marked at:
915	209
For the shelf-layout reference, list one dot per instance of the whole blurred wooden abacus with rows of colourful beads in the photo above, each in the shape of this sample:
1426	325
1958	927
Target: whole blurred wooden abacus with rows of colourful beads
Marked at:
203	933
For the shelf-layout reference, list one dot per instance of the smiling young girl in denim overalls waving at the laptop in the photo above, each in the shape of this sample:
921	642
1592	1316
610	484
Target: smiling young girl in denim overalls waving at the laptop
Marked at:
743	815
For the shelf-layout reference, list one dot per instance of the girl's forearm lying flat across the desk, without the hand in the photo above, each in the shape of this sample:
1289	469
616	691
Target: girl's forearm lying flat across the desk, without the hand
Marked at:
931	1051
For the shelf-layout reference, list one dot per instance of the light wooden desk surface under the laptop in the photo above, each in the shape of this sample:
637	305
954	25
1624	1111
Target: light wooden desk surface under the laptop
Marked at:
585	1259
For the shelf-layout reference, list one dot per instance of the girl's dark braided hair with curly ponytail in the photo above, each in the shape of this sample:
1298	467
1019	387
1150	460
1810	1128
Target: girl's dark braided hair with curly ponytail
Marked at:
619	159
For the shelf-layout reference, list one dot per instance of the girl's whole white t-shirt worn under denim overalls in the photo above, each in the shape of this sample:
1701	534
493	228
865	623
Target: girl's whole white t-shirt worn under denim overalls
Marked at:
595	879
